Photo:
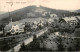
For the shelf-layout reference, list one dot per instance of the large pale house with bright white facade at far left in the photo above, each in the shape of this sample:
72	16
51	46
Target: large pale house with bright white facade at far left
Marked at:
14	27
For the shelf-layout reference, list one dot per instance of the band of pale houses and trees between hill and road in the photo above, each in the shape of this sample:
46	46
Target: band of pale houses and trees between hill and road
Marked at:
34	24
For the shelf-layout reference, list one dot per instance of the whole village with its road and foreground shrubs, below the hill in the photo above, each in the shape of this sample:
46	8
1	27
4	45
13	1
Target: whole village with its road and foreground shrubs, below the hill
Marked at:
49	32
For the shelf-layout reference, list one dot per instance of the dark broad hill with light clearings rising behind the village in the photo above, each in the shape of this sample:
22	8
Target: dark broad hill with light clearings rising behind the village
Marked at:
32	12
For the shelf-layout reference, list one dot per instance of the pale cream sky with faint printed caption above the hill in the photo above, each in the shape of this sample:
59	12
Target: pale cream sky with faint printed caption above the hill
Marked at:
11	5
